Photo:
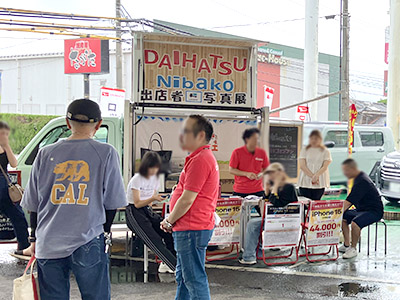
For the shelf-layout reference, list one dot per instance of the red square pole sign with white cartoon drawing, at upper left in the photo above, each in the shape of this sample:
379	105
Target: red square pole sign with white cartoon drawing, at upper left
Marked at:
86	56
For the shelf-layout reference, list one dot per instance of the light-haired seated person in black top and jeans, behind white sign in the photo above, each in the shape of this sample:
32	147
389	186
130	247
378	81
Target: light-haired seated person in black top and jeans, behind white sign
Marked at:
279	194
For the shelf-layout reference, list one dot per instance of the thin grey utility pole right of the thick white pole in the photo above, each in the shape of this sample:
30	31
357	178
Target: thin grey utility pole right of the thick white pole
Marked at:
344	63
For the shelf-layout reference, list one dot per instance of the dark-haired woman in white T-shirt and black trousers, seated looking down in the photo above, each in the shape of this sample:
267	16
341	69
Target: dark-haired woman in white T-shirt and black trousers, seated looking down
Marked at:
141	193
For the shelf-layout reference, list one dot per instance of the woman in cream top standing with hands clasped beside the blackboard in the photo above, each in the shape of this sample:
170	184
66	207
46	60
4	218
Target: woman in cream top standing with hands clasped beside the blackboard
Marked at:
314	161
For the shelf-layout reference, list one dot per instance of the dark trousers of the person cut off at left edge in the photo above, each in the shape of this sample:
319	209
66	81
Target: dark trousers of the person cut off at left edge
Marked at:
15	213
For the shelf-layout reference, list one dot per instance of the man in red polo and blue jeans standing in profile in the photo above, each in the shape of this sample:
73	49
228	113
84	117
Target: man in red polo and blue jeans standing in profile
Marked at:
193	205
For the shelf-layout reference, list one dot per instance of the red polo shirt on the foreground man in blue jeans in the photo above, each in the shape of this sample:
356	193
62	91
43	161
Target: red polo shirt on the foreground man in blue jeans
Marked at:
200	174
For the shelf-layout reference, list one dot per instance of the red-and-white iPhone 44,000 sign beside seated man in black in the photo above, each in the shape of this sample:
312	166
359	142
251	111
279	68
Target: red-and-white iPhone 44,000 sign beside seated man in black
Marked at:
325	222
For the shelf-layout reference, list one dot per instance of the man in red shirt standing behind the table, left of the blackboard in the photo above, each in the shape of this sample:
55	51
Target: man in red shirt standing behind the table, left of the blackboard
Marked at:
248	164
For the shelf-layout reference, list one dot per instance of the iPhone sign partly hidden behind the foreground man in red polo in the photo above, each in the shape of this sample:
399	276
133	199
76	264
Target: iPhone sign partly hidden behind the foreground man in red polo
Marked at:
227	232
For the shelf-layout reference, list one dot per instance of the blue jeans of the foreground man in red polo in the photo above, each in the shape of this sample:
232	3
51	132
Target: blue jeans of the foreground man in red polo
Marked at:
191	274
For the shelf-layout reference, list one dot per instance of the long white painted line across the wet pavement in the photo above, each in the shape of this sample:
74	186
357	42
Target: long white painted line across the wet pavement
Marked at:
300	273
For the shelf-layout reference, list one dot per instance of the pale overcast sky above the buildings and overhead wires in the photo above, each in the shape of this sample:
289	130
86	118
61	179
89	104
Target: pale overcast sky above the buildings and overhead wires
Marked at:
279	21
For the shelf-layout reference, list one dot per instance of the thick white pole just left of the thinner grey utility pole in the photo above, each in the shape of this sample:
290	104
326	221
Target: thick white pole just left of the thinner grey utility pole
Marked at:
310	83
